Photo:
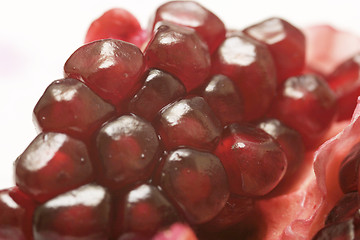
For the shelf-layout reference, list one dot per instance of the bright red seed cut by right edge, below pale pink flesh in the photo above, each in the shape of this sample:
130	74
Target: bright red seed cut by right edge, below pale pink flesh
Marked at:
344	81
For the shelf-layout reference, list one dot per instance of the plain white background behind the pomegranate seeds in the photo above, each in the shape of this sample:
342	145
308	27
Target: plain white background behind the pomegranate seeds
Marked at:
36	38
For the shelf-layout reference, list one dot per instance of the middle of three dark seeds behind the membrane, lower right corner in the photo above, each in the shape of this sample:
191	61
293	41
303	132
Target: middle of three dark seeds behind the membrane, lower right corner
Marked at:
344	209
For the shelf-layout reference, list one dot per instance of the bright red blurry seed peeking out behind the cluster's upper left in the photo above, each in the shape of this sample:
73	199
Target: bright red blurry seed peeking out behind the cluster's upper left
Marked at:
117	23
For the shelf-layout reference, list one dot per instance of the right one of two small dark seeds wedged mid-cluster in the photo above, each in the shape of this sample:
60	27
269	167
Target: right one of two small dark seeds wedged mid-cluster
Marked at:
224	99
